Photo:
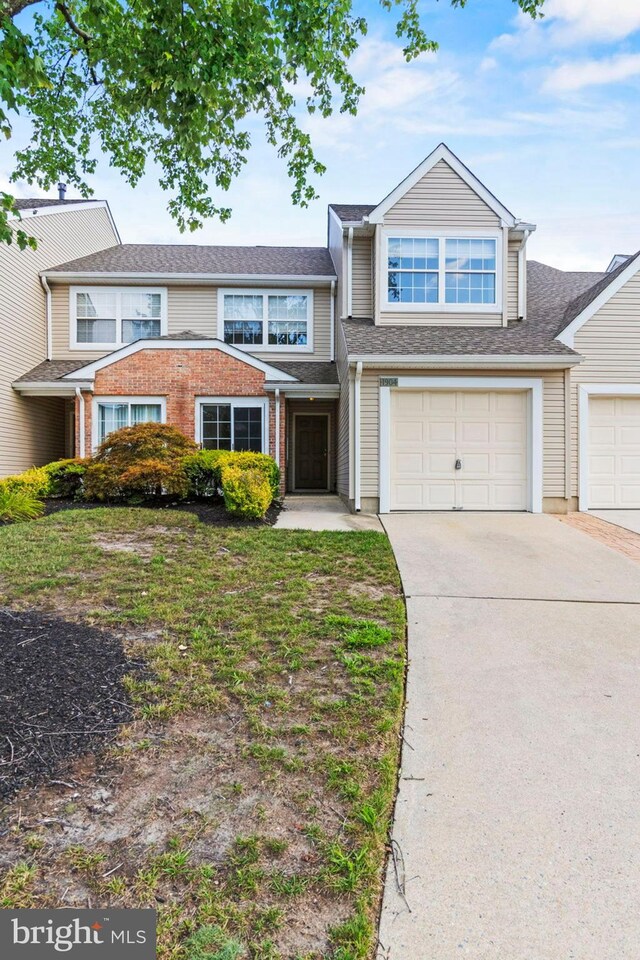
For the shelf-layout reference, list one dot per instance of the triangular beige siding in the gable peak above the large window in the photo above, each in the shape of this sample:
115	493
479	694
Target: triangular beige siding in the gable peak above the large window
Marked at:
441	199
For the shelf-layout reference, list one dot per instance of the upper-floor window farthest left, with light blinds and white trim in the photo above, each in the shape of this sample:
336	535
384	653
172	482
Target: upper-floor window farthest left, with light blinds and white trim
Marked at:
111	317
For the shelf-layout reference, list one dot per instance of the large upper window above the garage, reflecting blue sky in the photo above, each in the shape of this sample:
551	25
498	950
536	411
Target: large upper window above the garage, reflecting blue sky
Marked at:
451	271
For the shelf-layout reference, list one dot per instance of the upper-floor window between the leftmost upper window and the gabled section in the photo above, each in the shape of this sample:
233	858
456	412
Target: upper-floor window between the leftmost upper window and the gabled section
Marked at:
267	320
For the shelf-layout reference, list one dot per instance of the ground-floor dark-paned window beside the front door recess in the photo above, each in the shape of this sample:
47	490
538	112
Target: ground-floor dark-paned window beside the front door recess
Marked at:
233	424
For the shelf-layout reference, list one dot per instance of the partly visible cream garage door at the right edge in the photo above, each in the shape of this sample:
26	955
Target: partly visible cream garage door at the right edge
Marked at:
614	452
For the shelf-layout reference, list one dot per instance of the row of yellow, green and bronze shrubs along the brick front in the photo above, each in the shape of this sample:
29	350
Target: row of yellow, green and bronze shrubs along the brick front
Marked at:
143	463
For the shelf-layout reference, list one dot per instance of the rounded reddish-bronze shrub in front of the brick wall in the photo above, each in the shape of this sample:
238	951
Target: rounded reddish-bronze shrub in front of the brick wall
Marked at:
146	441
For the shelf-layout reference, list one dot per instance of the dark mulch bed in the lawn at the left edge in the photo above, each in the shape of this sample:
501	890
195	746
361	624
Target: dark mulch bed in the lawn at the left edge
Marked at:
61	695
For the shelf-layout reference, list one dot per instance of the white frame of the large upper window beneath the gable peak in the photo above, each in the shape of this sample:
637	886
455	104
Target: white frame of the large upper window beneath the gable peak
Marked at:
441	236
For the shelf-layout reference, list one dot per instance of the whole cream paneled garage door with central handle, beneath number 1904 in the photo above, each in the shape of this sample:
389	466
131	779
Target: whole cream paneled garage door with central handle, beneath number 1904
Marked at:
485	433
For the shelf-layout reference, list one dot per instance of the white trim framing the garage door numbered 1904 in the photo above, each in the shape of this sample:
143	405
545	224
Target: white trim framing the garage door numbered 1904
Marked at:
534	386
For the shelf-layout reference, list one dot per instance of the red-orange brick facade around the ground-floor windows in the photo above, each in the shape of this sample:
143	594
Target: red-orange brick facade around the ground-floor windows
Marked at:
181	376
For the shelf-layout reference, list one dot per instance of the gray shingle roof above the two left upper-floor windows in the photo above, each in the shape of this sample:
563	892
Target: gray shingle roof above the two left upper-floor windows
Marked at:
192	258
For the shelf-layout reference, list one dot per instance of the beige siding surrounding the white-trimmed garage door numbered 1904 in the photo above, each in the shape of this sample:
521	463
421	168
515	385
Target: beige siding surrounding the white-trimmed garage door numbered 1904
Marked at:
553	453
